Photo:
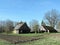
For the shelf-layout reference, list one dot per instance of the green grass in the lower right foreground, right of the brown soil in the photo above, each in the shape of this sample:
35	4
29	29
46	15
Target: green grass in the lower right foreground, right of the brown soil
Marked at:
50	39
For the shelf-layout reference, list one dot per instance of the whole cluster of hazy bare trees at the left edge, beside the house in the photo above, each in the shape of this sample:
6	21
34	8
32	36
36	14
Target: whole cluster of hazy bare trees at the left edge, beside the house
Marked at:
7	26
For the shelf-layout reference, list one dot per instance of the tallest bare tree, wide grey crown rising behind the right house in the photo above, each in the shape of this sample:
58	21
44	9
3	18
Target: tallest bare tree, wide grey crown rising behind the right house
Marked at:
52	17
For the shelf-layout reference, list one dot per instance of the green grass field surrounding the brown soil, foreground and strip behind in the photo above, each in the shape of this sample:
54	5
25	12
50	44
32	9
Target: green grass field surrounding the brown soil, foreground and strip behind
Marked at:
49	39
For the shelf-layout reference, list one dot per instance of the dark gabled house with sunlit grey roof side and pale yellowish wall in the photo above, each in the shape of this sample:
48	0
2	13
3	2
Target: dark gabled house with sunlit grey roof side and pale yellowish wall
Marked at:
21	28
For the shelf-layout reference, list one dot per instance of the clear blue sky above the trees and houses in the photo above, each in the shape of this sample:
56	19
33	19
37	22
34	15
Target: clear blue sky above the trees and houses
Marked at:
26	10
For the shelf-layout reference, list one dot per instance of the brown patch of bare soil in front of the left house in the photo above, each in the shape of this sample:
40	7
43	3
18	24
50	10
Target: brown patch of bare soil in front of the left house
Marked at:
18	39
